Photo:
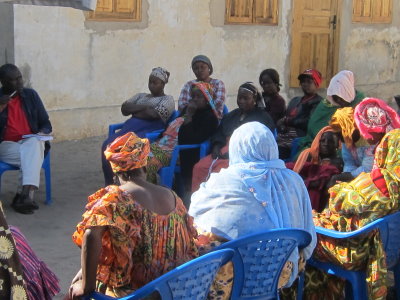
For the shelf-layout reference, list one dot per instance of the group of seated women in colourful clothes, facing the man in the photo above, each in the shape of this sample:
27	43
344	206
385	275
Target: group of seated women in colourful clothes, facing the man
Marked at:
134	230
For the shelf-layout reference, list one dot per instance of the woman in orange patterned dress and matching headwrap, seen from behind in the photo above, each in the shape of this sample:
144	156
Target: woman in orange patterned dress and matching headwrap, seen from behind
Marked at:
133	232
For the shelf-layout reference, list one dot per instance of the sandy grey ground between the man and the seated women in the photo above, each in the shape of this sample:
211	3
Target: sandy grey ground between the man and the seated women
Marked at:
76	173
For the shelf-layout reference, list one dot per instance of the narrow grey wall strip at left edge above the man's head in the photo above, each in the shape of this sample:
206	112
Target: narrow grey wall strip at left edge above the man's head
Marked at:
6	33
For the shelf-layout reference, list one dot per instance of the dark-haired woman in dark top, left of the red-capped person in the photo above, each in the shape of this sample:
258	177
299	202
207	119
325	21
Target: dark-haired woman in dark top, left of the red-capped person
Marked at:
275	105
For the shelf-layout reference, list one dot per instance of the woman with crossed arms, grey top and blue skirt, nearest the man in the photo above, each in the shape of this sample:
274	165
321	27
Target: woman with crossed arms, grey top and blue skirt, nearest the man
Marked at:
149	112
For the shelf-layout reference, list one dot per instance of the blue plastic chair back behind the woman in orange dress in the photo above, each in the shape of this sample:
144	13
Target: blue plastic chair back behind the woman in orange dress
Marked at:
191	280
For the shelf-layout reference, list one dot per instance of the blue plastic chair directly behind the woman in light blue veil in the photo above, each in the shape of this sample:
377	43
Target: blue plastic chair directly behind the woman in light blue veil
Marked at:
259	259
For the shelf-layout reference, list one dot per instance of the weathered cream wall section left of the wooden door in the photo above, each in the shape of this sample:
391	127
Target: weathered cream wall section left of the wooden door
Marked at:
84	70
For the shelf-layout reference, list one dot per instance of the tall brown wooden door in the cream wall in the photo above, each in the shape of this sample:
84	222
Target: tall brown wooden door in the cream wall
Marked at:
315	42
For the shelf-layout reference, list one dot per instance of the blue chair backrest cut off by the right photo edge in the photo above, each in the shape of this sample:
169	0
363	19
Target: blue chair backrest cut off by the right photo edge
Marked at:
390	236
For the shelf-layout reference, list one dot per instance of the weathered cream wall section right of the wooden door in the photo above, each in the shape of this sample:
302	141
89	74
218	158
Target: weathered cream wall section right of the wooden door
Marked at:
372	52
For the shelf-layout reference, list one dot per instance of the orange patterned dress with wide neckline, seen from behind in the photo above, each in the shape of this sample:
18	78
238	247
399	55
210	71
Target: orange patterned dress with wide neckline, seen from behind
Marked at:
139	245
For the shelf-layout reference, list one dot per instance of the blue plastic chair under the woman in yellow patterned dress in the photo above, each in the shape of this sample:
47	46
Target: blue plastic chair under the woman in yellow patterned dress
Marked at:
356	286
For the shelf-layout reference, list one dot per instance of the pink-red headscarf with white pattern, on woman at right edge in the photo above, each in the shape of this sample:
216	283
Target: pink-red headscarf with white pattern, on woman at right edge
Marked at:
374	115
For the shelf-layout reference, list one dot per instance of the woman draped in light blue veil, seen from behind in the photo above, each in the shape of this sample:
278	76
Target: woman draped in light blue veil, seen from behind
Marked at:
256	192
